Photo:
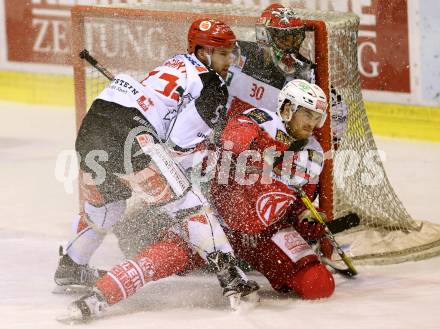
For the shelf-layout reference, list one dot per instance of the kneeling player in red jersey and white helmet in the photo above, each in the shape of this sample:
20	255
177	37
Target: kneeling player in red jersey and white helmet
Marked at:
266	222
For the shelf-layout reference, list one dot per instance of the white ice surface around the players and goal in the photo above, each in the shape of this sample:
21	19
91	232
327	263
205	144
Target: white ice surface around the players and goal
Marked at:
36	215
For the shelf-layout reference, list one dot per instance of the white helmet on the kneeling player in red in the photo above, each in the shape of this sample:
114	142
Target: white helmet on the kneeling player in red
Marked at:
306	94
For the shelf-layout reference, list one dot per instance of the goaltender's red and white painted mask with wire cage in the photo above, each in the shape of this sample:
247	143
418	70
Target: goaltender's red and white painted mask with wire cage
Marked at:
282	32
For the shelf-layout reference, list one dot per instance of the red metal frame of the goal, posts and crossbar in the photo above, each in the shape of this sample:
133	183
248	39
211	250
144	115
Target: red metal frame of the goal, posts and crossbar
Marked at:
80	13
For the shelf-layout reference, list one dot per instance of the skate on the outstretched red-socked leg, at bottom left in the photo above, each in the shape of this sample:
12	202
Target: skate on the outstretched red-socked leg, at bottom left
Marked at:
85	309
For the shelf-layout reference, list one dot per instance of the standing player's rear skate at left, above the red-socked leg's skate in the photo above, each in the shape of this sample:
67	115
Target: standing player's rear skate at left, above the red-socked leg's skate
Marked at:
72	277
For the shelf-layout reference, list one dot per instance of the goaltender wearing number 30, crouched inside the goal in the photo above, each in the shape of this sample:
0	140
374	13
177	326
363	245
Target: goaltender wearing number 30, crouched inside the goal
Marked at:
269	63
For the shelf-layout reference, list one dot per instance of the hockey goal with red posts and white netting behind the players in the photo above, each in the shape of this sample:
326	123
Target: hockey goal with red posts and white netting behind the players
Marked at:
136	38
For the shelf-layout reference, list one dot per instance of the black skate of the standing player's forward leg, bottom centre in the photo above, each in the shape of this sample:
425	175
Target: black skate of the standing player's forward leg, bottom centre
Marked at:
235	284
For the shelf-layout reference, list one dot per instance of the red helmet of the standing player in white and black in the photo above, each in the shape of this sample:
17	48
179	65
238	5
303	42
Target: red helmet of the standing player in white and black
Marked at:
210	32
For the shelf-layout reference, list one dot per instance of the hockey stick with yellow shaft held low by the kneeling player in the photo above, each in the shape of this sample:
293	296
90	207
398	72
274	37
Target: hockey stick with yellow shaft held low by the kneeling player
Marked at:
351	270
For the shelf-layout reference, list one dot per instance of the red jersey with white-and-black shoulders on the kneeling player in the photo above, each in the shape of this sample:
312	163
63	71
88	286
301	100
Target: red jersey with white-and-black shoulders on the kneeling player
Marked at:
252	205
